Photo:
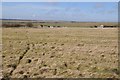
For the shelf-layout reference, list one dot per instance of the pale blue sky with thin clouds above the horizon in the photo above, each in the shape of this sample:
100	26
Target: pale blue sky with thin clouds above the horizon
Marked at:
67	11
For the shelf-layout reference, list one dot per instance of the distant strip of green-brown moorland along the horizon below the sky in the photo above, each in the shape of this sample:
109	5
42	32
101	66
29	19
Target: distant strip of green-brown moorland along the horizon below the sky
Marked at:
37	24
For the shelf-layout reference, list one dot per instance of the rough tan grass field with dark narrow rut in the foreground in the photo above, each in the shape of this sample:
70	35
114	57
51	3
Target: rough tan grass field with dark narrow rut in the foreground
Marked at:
60	52
